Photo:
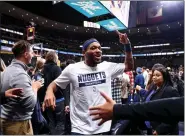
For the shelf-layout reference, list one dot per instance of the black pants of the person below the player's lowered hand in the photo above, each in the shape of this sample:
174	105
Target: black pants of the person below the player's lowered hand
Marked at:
56	119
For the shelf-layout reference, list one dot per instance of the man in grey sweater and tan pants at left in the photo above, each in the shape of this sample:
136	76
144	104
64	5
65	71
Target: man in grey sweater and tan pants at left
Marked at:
16	112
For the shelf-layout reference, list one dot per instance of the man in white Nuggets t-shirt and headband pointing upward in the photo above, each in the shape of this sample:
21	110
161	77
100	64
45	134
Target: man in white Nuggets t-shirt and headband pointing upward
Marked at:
87	79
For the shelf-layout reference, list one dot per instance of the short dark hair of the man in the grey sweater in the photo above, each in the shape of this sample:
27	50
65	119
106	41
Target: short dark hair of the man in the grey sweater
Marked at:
20	48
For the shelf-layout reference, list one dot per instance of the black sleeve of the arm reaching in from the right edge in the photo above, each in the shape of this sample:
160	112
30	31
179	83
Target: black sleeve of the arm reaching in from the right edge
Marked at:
158	110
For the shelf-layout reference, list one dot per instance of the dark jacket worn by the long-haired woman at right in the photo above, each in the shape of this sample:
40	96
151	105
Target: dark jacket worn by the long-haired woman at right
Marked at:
160	127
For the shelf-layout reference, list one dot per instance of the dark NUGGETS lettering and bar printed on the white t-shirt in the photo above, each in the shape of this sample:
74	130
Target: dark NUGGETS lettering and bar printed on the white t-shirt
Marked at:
91	79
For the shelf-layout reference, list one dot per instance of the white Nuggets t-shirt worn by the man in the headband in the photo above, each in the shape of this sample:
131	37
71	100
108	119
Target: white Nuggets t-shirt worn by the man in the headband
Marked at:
87	82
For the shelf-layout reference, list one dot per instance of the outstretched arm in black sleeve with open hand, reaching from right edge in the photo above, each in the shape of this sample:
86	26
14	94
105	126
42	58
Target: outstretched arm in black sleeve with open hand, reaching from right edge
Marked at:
164	110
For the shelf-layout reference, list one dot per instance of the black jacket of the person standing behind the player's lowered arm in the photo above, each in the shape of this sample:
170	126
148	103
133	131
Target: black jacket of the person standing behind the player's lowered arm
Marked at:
50	72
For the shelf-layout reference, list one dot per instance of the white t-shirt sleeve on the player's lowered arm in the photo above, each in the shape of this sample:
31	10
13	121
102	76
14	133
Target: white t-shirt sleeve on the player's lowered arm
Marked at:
64	79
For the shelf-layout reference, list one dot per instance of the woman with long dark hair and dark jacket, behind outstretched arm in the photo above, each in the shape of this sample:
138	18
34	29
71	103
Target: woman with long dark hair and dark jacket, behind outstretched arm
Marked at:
162	88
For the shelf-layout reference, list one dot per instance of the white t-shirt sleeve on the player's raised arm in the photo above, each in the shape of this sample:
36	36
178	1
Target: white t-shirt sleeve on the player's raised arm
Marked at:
116	69
